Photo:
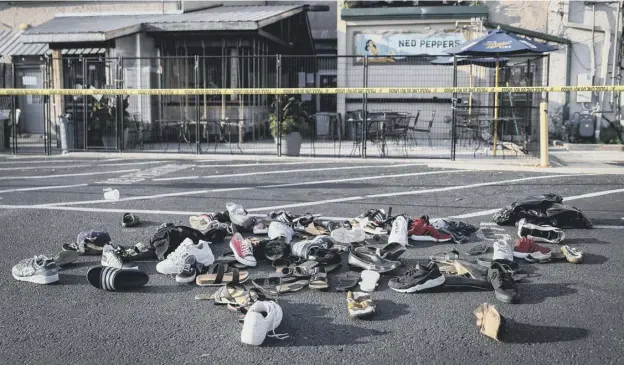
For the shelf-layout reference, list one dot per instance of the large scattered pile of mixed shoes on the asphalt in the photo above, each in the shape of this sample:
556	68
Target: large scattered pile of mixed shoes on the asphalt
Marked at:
303	251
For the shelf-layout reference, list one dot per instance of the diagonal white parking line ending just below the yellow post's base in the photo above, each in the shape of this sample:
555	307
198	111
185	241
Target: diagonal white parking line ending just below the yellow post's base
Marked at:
401	193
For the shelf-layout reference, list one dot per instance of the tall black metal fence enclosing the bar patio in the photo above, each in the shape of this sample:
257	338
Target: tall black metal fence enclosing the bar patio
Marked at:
351	125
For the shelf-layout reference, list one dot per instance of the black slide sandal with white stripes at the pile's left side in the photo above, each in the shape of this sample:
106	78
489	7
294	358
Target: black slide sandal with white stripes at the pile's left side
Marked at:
113	279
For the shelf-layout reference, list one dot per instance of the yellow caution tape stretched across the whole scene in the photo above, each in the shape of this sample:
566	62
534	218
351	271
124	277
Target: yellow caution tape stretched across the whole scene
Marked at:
301	91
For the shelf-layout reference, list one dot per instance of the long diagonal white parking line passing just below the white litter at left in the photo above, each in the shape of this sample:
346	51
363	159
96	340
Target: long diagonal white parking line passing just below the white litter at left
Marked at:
196	192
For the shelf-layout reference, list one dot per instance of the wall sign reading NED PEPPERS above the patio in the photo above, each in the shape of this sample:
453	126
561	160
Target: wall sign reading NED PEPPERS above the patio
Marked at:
406	43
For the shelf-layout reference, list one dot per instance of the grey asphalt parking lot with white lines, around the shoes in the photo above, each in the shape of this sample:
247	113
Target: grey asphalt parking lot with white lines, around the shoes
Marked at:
567	313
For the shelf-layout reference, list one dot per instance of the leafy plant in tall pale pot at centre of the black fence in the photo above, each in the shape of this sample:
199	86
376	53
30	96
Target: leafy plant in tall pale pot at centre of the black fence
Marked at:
294	122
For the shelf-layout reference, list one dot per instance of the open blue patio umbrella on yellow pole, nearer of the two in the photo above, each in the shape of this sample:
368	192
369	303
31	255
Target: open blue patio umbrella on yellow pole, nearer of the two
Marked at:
496	43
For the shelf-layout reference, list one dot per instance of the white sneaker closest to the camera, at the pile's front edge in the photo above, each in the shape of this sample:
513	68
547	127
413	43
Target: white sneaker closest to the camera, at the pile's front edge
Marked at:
261	318
